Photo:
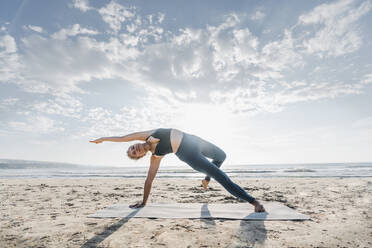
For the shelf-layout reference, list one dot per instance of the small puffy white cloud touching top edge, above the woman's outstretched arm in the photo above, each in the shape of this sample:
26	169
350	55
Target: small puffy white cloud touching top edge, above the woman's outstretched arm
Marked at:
115	14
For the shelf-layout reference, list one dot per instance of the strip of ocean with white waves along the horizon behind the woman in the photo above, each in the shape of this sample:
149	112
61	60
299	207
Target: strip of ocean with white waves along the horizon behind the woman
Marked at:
36	169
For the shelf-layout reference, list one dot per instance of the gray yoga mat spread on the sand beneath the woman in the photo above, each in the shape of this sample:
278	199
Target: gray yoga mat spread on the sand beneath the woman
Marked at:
274	211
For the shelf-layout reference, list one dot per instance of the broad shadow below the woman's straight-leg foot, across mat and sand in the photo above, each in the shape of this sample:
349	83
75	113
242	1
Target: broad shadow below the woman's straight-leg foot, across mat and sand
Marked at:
253	233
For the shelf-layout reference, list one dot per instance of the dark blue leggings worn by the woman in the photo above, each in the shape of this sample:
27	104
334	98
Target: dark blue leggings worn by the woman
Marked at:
194	150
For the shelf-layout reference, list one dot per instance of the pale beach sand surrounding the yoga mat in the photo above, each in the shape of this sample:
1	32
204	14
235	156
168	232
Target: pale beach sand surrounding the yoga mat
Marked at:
53	213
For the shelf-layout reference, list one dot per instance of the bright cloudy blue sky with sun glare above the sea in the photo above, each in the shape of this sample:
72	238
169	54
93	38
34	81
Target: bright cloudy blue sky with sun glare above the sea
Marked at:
266	81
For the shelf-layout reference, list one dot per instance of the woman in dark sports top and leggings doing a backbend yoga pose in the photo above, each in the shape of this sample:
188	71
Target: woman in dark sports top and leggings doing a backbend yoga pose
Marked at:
189	148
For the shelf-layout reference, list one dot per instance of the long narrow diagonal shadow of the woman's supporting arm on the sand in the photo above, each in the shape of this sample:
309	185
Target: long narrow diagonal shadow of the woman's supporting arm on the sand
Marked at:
98	238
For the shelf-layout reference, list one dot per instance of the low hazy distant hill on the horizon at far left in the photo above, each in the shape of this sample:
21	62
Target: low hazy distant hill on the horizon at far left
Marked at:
29	164
